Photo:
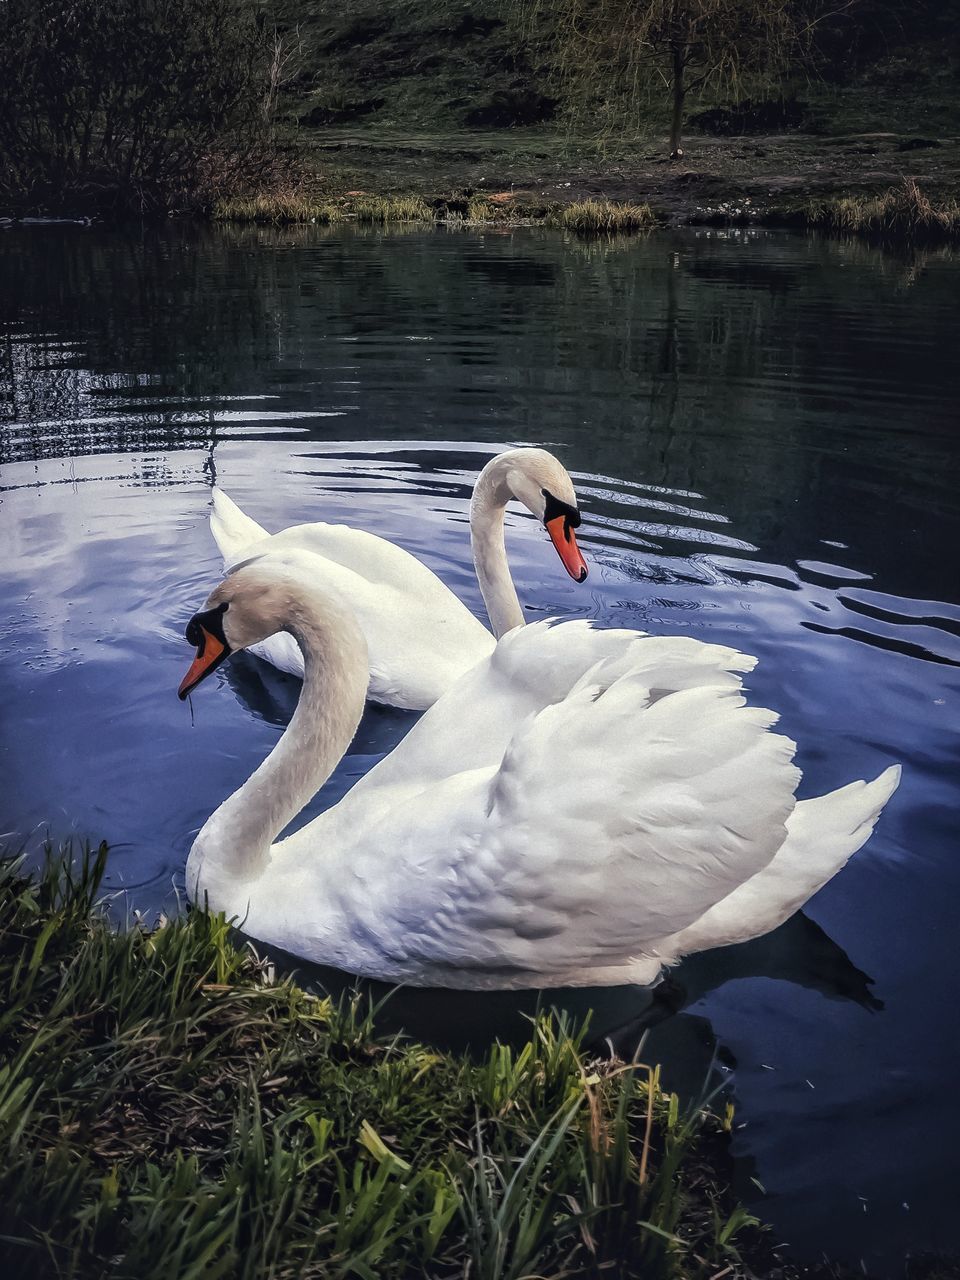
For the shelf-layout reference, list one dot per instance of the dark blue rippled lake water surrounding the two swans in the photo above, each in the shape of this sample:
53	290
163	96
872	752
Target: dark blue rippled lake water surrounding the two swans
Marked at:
762	429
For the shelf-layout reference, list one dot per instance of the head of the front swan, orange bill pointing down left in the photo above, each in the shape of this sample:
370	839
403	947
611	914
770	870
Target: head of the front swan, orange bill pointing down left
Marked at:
257	600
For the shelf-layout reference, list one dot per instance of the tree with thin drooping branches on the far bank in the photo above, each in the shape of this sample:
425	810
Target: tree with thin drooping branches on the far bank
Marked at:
638	48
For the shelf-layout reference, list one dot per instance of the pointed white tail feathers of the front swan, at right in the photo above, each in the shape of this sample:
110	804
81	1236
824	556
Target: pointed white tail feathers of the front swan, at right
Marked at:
822	835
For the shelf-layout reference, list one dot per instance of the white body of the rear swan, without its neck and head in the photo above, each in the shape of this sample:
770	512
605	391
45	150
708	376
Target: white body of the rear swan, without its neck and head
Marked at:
420	637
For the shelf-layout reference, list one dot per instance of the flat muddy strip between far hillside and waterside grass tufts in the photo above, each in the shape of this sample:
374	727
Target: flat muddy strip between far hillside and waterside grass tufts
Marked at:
738	180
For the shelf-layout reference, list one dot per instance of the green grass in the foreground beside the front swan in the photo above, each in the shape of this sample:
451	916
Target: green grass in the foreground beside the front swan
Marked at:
168	1109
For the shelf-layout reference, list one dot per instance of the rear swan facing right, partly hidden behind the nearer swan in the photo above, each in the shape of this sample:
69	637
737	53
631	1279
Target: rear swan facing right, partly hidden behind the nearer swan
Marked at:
420	637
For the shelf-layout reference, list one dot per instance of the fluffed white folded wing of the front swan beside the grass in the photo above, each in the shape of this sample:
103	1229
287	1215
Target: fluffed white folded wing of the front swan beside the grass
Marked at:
609	824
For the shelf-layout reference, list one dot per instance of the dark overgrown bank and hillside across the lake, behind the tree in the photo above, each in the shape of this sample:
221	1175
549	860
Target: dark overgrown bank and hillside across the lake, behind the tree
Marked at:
456	107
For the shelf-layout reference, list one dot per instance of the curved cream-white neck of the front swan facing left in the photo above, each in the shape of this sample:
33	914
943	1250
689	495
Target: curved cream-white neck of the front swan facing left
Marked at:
235	843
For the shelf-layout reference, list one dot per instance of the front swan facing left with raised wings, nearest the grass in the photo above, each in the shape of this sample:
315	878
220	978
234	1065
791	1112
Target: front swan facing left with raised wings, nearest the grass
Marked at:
582	808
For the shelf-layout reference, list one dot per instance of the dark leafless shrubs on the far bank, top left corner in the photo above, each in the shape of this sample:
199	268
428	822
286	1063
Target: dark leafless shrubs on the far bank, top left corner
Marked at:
130	104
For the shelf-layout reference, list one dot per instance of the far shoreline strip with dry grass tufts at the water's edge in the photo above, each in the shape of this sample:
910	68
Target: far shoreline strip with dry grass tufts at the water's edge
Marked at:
897	190
